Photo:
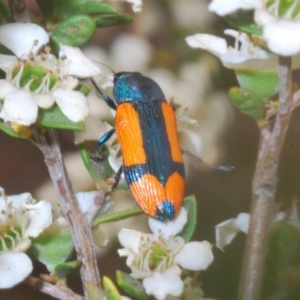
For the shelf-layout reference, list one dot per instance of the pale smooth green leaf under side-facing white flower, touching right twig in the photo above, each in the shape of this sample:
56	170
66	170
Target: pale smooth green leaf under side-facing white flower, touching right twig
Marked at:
263	83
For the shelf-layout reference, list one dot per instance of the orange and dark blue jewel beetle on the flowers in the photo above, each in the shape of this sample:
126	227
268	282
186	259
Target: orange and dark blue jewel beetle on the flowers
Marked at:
145	125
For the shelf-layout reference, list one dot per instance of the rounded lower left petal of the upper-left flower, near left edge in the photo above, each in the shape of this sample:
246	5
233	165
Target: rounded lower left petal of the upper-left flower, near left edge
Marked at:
19	107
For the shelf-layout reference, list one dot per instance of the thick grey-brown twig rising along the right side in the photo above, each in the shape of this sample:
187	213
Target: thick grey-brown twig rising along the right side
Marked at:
264	188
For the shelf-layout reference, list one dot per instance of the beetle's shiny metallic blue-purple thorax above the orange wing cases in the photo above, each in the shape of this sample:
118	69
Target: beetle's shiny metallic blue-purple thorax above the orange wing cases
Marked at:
135	87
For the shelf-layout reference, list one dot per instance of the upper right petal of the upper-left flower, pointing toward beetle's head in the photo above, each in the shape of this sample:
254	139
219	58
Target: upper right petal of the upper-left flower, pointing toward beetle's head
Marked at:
76	63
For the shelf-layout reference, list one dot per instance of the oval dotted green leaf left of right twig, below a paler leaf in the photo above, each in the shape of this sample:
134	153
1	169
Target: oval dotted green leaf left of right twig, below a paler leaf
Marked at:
247	102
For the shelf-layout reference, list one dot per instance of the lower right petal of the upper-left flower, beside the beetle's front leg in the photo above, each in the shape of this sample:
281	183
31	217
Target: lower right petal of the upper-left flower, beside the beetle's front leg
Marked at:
72	103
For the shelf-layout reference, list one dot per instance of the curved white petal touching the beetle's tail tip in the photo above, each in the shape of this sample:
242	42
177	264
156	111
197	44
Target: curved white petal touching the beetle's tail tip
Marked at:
168	228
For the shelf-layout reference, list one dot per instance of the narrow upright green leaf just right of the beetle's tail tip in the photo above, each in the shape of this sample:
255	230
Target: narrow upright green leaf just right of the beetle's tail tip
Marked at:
190	204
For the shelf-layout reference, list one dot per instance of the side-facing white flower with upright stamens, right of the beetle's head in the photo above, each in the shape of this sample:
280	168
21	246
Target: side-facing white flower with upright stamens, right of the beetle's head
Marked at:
243	56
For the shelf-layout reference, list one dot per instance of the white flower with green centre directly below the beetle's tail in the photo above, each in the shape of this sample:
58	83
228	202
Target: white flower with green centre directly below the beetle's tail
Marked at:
158	258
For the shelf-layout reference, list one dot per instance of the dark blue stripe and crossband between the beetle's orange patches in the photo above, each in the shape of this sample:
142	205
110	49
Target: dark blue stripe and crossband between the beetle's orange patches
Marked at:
156	145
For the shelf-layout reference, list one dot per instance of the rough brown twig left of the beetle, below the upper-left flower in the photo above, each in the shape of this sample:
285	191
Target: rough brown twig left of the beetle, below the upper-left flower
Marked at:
80	228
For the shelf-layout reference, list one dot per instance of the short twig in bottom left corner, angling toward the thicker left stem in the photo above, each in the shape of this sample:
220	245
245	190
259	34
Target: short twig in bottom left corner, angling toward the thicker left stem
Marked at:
56	291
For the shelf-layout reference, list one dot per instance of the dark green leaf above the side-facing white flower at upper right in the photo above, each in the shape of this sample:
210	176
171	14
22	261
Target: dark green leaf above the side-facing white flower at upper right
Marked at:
244	20
